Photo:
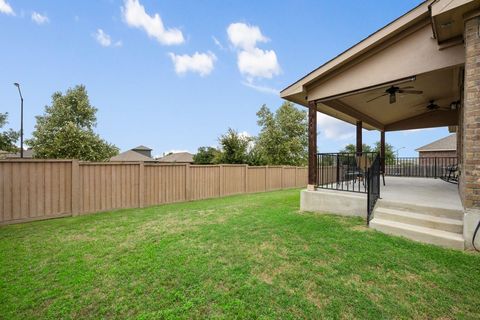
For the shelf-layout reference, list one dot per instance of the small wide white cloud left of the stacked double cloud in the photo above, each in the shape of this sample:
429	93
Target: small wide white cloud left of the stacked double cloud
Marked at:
201	63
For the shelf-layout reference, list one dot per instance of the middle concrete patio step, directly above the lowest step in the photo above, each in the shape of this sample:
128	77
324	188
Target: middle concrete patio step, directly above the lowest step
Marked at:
419	219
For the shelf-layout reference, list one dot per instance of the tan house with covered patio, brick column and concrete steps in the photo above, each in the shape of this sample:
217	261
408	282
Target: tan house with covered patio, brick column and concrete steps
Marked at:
419	71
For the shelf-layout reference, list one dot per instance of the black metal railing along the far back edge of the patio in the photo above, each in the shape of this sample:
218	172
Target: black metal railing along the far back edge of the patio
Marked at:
425	167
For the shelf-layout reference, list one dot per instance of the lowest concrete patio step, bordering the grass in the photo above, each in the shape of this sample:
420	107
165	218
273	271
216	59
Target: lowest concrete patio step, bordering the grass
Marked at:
422	234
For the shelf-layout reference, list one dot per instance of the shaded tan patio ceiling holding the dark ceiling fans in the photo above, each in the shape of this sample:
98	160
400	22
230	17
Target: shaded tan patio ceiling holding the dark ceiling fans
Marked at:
409	111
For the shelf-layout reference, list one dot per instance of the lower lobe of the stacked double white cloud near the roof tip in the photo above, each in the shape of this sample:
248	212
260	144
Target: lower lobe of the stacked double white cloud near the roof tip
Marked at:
258	63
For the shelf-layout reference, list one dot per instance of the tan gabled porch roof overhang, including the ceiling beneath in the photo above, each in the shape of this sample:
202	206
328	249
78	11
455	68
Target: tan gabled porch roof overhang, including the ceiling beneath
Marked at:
409	52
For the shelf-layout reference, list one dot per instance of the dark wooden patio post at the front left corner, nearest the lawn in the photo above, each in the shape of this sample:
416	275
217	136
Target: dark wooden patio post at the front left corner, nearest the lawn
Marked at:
312	145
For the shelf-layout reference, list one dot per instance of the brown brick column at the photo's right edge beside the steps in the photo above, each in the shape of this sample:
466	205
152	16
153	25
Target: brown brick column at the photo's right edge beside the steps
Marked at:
470	182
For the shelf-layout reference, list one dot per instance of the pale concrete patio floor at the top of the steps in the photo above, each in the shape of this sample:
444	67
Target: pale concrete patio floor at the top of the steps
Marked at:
427	192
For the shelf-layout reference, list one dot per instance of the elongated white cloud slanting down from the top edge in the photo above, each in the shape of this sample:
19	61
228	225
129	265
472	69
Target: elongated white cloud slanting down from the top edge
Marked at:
135	16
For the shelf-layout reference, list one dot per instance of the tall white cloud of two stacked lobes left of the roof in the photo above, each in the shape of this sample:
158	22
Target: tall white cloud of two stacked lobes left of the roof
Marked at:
252	61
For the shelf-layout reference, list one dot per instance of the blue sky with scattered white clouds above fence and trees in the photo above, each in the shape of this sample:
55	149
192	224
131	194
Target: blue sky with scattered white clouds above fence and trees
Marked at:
174	75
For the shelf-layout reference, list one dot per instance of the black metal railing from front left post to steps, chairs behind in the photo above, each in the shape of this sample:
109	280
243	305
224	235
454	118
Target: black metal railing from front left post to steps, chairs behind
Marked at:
344	171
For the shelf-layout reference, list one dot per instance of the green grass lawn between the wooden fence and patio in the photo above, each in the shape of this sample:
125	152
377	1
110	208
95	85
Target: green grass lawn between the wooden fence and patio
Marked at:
249	256
